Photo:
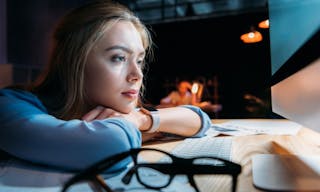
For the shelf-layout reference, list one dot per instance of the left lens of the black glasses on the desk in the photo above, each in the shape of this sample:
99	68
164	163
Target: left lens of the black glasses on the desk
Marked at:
152	175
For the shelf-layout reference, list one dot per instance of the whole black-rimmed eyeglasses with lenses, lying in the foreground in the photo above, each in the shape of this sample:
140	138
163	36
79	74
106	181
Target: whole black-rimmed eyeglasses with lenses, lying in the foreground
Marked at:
156	174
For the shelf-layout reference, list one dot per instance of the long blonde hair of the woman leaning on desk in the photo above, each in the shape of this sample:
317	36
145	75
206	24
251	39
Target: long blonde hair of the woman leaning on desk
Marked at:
61	85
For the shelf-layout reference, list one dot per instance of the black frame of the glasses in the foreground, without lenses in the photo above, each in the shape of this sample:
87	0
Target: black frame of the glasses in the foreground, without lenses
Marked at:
178	166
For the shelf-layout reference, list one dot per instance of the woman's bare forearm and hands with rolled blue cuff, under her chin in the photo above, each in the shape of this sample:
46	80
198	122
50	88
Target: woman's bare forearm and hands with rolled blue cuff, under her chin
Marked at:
185	120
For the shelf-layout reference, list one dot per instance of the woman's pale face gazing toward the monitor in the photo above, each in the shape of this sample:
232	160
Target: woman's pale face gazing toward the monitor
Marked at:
113	75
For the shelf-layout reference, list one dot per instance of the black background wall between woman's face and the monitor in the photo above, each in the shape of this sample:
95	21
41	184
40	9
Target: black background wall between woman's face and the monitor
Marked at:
212	48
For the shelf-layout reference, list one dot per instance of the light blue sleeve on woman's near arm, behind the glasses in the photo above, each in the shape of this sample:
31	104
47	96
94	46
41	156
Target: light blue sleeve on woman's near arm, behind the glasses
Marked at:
28	132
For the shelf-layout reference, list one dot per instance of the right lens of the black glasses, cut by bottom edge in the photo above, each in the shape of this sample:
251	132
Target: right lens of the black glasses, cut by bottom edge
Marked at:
209	180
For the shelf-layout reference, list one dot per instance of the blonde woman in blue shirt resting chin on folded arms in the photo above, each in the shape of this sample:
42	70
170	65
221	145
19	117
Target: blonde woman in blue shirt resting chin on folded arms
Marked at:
85	106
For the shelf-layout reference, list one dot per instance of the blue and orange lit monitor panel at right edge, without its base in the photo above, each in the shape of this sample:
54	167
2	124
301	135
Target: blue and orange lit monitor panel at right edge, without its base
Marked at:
295	59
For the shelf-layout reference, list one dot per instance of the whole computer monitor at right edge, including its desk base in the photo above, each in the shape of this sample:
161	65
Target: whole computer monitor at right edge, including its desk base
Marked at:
295	90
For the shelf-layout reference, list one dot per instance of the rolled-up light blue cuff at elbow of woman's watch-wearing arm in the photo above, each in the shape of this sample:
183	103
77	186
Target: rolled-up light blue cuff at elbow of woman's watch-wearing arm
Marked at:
205	120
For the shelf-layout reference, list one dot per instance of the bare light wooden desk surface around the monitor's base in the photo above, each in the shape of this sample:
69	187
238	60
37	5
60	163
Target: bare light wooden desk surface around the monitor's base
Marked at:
306	142
